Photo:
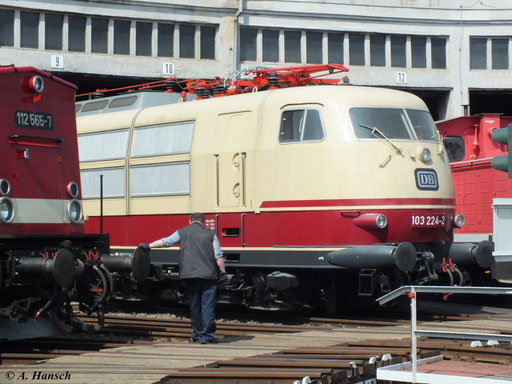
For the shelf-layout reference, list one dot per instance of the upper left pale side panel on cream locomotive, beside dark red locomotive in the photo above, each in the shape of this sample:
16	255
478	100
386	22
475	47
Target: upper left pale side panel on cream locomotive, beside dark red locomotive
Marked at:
103	146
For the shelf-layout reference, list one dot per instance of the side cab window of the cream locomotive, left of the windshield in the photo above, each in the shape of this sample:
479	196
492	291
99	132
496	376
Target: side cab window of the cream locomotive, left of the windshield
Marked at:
301	125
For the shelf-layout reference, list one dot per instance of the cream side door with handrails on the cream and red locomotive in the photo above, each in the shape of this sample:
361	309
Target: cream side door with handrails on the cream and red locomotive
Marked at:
234	141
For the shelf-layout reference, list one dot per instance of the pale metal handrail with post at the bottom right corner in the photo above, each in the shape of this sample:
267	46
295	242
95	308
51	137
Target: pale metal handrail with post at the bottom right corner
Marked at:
411	292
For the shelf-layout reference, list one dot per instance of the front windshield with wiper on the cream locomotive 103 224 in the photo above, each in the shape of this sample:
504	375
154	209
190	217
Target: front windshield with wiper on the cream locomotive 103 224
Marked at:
394	123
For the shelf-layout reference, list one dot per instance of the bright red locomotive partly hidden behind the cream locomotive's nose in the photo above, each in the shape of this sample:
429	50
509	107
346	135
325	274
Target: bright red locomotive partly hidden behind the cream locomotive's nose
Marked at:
471	150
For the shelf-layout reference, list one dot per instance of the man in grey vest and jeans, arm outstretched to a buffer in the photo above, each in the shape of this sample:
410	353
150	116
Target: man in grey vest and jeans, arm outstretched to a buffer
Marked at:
201	260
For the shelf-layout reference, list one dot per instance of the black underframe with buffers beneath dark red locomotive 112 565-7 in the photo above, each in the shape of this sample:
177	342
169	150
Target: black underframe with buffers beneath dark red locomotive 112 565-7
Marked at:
41	275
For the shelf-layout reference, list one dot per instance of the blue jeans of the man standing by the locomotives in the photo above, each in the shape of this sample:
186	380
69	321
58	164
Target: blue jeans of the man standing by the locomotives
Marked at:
201	295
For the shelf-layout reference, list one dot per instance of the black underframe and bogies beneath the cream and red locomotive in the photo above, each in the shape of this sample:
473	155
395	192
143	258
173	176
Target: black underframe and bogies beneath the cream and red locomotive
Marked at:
302	279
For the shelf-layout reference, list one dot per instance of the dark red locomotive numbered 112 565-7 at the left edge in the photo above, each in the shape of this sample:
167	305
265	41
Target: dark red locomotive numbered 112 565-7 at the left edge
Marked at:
46	259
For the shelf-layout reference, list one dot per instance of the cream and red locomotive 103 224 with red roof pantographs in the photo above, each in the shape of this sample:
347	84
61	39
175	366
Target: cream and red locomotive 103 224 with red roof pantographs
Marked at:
317	193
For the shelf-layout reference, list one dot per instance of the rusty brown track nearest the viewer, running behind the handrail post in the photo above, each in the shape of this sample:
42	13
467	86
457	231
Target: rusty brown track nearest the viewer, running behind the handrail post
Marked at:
345	363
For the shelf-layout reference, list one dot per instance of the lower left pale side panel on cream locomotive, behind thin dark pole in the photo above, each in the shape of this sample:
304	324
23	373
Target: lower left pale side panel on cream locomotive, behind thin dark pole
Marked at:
113	183
